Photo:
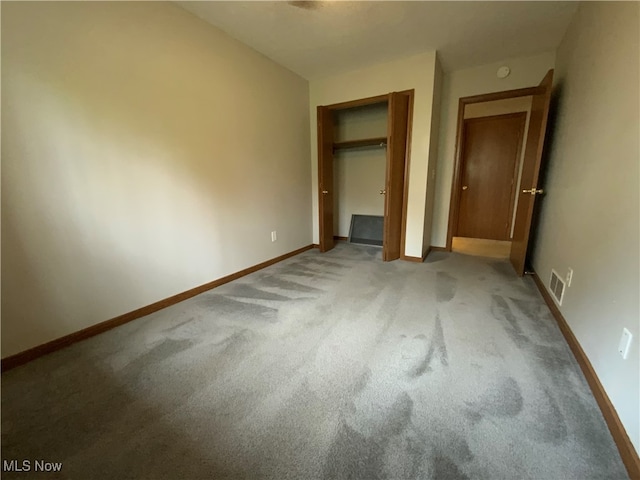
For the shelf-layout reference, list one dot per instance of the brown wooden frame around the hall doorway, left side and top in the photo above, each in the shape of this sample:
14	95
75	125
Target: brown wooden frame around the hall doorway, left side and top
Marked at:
454	203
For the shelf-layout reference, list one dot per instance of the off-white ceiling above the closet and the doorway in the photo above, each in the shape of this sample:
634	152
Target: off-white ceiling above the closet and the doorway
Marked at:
316	39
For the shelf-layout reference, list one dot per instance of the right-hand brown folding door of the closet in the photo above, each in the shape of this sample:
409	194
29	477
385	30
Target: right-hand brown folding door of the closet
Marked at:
398	119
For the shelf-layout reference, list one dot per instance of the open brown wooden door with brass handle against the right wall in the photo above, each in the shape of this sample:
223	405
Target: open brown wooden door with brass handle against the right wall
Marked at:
530	173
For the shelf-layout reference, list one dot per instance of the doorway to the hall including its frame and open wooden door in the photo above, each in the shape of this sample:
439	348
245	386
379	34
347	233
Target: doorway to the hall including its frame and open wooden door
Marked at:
499	146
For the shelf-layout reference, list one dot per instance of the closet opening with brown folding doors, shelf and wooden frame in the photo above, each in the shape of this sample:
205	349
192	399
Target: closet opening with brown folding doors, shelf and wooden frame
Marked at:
362	167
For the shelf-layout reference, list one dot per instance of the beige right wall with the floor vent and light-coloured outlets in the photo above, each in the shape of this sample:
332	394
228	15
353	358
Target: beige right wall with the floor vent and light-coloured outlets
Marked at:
590	213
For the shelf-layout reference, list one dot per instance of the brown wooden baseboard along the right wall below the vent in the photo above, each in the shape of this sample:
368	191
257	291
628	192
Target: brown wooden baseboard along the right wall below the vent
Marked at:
628	453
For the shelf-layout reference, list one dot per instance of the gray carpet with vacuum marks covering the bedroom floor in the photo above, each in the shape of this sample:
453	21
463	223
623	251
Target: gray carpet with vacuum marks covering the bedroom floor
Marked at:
327	366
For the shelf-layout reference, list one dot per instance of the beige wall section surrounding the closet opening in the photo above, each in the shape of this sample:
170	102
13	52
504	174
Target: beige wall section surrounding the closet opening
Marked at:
415	72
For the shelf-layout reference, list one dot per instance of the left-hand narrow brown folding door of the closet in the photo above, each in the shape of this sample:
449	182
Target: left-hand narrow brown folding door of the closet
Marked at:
325	177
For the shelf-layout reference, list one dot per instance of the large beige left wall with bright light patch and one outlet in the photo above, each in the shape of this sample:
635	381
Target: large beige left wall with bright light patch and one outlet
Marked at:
144	153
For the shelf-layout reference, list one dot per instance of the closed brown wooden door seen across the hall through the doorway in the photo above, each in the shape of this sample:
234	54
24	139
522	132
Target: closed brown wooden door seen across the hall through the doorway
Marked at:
491	148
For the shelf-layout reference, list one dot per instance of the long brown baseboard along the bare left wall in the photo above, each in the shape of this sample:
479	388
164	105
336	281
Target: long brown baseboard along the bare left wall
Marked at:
21	358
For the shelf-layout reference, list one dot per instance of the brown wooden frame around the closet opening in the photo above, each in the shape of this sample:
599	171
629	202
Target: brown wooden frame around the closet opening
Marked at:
405	193
